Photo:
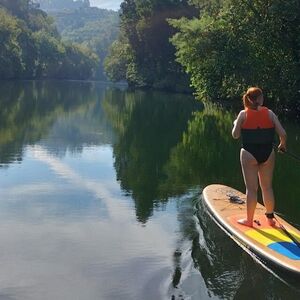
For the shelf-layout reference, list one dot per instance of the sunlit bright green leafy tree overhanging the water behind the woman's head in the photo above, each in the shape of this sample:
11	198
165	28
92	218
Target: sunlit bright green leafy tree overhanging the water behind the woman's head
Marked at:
235	44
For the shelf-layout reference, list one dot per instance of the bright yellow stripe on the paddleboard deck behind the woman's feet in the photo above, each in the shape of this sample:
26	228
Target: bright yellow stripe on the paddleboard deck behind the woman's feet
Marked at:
270	235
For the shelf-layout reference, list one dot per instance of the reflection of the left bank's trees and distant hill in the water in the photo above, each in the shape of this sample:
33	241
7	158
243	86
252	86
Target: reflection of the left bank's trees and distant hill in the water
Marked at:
51	113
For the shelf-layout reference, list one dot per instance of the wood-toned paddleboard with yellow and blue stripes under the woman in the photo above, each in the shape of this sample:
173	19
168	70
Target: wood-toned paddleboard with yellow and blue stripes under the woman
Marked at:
279	245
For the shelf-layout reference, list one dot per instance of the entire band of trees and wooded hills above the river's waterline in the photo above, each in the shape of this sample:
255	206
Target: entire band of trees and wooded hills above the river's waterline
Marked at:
212	49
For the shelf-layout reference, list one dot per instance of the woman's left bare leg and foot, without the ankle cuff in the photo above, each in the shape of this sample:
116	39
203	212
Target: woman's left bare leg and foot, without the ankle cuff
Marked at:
250	171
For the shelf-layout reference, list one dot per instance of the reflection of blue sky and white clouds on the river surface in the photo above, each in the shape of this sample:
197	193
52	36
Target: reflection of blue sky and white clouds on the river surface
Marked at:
68	236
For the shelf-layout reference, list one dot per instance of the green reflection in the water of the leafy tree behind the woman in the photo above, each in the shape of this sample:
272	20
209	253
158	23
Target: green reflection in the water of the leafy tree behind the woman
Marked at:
208	154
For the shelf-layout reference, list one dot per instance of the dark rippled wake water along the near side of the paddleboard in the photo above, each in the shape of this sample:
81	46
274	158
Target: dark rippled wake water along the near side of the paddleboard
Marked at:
224	271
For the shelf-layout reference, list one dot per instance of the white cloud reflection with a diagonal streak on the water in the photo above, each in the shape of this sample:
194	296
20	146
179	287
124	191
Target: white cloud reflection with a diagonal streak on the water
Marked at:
112	258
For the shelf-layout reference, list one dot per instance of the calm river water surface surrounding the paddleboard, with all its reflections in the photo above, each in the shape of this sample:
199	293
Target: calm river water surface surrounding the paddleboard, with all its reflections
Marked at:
100	190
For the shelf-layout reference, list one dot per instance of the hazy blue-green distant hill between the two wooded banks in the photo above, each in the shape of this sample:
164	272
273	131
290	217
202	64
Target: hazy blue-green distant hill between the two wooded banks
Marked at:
88	26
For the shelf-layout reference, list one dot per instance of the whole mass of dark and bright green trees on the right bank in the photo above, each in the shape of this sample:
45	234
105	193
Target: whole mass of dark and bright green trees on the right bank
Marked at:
224	46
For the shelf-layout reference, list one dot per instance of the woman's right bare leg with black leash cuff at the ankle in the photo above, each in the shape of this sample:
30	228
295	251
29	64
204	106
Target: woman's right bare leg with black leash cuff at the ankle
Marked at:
265	174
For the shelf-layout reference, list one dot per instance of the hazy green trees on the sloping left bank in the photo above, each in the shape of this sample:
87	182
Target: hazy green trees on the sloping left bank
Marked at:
32	48
